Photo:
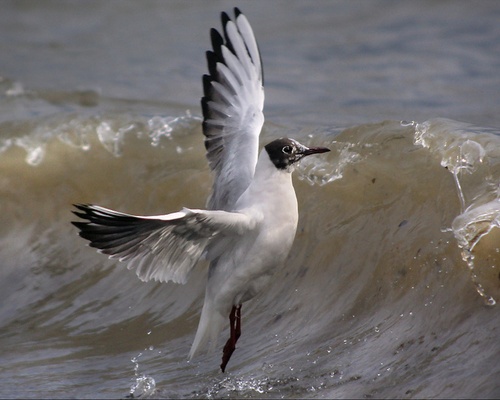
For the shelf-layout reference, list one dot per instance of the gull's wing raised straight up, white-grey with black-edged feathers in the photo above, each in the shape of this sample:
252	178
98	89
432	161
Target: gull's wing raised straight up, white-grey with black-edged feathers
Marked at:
232	109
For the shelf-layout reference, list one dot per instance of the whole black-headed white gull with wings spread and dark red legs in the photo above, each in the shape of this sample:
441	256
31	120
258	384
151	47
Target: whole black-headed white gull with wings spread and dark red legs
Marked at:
249	225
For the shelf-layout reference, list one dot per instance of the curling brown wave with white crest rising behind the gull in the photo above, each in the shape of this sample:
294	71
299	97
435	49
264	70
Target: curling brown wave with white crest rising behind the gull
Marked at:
397	248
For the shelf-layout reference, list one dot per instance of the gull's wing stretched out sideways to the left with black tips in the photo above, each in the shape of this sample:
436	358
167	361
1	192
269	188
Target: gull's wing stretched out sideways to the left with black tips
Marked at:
162	248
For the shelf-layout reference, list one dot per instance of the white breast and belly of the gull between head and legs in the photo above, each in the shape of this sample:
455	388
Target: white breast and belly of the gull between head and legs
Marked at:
245	268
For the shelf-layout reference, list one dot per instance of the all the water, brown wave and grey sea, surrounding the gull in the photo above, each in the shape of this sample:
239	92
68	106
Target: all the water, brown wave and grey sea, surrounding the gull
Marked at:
391	287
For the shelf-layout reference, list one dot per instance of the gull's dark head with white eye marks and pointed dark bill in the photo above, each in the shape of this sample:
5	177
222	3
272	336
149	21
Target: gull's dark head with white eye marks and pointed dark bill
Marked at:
285	152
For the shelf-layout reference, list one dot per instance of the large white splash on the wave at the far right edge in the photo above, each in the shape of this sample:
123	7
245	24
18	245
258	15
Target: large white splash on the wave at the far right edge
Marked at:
462	154
